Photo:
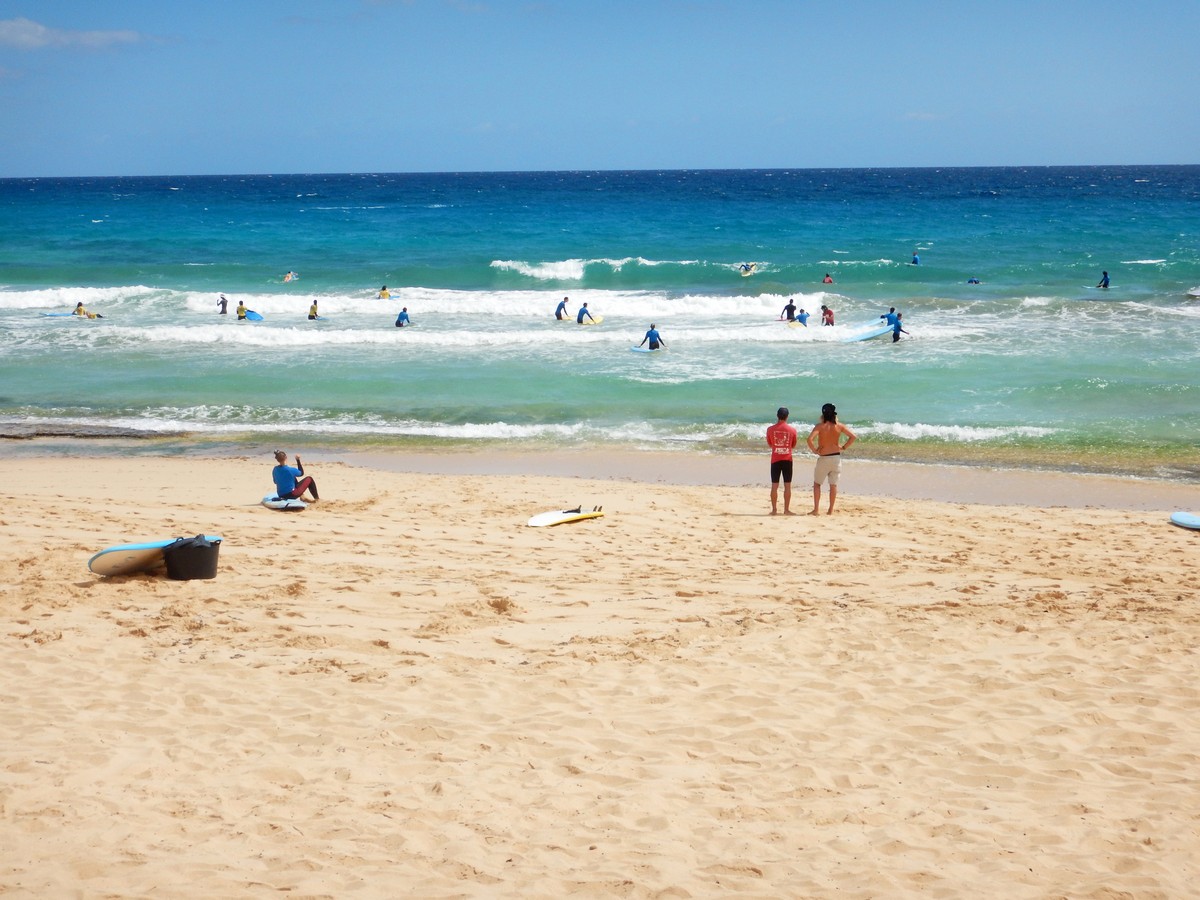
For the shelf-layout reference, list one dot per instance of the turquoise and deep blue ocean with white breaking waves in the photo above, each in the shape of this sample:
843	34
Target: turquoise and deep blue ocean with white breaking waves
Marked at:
1033	368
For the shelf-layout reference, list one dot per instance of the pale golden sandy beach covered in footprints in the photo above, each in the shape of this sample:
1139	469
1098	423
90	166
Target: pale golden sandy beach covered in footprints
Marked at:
405	691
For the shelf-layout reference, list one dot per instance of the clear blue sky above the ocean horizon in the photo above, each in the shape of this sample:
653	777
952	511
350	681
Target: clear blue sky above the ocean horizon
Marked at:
183	87
